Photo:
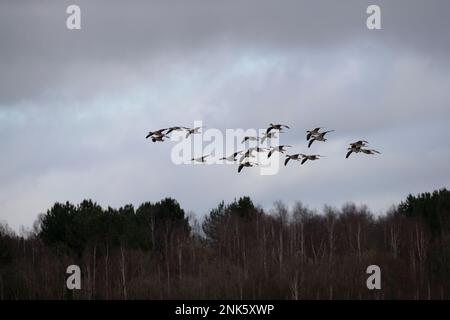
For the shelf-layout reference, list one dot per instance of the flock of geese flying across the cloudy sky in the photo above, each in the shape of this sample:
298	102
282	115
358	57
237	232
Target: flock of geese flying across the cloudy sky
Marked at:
243	157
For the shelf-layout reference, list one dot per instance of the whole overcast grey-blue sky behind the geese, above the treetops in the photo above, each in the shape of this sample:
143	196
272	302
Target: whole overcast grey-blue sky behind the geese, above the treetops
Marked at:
75	106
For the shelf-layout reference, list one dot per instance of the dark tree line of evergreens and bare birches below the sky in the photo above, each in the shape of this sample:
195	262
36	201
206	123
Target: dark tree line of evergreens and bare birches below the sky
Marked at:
238	251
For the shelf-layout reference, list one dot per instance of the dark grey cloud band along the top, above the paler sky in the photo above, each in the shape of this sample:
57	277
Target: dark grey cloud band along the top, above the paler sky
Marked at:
38	53
